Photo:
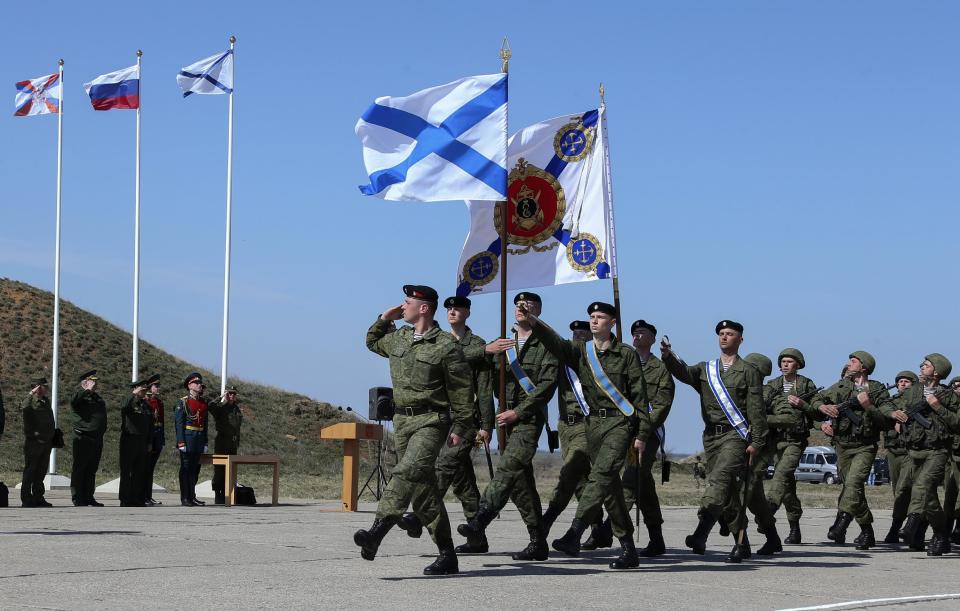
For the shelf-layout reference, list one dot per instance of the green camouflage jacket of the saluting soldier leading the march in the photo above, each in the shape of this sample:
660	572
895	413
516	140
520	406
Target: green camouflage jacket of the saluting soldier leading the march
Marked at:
431	372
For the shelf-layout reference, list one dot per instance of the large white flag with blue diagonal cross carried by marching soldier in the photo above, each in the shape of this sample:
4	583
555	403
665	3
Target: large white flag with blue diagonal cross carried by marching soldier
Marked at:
443	143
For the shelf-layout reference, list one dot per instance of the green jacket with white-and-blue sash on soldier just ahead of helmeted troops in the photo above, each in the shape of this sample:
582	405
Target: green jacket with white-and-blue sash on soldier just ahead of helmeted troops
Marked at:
745	385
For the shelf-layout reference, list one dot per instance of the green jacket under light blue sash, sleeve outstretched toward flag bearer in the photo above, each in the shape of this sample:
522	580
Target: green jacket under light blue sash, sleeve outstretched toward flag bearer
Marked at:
621	364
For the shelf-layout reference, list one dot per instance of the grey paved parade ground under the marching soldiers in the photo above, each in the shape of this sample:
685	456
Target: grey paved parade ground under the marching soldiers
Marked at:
301	555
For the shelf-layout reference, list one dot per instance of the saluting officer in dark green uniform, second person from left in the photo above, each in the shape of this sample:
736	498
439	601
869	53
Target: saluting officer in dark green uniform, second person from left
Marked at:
89	425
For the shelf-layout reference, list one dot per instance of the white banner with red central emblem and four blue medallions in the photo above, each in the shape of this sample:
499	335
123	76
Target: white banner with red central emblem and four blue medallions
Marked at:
558	211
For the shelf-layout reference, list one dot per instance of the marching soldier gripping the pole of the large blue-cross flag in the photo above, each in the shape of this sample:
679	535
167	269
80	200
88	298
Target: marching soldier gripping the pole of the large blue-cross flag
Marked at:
531	382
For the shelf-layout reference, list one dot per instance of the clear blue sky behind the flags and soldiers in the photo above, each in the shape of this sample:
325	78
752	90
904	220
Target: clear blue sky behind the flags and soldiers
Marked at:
790	165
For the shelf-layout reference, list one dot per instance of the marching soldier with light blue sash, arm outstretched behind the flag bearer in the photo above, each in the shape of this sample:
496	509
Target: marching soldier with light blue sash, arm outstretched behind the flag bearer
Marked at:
615	388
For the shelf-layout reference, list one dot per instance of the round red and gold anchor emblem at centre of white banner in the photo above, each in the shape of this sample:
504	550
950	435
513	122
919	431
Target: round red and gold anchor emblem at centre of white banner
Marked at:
535	205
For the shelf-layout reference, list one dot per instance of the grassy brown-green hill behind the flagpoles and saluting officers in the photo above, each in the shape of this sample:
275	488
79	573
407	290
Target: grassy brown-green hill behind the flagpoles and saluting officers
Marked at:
275	421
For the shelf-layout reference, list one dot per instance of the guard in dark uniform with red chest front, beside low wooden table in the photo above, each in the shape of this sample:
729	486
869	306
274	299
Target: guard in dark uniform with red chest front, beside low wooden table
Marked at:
190	423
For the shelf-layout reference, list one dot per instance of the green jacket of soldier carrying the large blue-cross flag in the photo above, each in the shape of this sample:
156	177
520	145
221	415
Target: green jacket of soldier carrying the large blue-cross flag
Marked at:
543	370
